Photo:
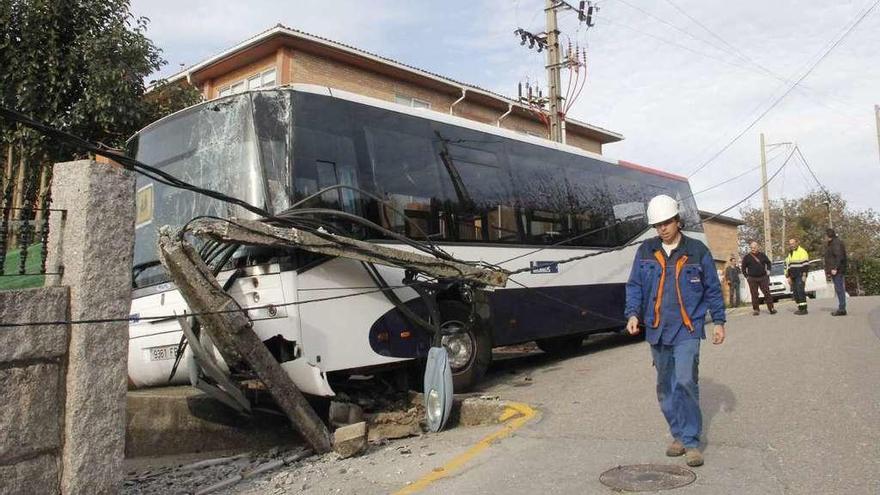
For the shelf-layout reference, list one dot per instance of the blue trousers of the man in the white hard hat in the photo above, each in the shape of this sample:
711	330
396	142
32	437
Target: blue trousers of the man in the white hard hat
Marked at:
678	389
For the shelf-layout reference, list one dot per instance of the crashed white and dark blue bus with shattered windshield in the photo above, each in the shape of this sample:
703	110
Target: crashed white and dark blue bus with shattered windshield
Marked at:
480	192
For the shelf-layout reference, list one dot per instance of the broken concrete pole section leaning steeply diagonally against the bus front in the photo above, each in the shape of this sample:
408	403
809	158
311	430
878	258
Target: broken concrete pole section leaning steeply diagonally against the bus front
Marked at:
232	333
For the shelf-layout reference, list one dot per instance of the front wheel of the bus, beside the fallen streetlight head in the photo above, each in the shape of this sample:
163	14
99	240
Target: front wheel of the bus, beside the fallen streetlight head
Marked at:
470	352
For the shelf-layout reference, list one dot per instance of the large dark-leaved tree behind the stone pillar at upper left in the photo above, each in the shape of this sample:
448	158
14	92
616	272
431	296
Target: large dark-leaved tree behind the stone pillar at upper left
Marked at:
79	66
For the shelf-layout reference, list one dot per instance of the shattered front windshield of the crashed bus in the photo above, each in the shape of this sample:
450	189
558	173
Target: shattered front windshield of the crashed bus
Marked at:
217	146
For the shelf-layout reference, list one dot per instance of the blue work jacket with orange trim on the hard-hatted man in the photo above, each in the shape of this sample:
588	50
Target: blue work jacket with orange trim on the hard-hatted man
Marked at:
697	288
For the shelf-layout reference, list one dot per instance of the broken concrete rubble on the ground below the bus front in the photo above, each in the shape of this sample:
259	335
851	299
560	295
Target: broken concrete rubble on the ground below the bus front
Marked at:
375	439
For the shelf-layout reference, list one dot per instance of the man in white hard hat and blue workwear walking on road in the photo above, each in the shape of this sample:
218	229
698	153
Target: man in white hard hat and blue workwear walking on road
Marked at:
672	283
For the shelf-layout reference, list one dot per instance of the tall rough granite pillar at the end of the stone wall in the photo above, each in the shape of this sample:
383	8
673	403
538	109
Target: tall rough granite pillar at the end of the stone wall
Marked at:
94	244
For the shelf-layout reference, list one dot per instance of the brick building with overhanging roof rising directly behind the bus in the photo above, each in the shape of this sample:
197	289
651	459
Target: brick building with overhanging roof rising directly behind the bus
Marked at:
282	56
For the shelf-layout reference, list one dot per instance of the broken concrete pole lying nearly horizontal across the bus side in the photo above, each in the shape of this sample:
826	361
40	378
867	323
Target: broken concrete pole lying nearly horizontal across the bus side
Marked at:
241	231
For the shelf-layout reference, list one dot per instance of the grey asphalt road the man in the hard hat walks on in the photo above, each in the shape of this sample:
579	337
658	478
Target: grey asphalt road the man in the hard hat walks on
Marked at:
791	405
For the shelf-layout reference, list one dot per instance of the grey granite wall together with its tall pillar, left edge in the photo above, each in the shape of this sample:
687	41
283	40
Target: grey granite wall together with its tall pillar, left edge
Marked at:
62	417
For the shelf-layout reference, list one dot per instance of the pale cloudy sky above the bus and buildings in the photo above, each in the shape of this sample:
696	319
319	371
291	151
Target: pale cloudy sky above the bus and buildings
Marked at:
680	79
